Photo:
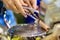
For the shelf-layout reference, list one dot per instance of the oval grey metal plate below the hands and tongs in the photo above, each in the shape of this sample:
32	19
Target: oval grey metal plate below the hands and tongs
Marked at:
26	31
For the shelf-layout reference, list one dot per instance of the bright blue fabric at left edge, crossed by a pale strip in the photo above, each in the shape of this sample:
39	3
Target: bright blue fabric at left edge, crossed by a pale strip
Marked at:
9	17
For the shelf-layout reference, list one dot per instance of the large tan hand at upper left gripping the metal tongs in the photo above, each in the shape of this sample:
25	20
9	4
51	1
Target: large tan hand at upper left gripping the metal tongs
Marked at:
15	5
